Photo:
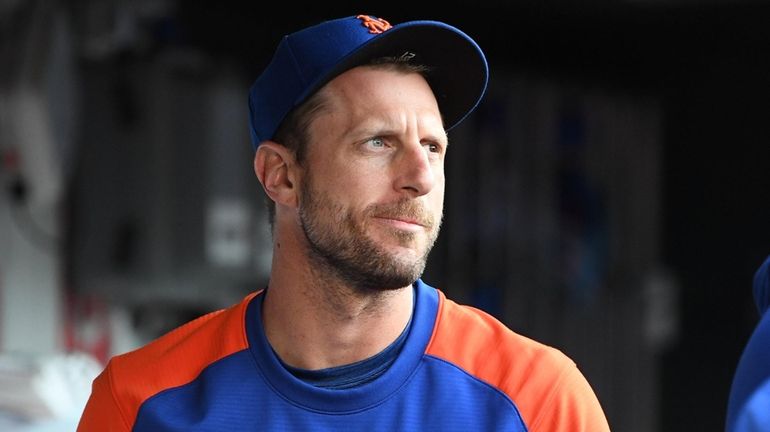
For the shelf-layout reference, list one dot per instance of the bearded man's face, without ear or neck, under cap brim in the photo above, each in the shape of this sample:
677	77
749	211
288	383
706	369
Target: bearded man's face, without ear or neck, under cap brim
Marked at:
372	189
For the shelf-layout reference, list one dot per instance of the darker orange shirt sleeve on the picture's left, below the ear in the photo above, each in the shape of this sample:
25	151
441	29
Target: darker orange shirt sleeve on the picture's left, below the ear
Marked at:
172	360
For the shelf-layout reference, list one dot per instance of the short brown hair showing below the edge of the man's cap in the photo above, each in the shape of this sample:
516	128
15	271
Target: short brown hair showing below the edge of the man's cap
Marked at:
294	131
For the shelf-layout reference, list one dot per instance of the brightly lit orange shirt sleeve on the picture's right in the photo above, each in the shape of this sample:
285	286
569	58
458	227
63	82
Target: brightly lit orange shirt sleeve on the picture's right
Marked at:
547	388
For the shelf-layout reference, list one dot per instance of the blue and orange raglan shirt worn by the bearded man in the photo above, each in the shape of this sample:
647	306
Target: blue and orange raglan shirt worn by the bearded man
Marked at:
459	369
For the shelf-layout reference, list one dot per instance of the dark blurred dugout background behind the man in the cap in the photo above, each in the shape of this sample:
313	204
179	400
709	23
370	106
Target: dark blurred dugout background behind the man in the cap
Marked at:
609	197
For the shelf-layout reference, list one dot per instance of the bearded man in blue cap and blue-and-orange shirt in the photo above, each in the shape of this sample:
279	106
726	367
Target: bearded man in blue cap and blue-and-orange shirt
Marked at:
349	125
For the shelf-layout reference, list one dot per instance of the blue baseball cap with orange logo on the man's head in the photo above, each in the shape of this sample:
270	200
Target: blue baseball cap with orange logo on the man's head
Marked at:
309	58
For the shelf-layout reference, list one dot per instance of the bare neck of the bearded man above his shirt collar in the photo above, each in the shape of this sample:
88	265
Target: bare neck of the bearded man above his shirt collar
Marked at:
315	321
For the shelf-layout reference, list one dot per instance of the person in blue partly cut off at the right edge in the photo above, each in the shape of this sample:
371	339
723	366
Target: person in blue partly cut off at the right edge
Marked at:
748	408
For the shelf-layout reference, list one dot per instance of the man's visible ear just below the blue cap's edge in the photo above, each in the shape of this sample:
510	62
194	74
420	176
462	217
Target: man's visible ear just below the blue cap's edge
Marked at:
275	168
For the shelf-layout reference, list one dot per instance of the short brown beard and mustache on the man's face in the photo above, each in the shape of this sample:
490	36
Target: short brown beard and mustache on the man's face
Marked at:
338	242
